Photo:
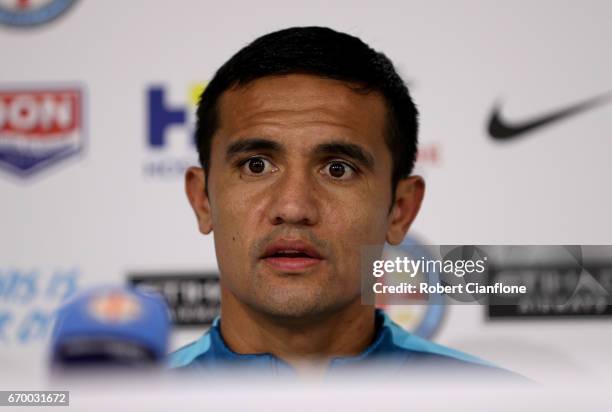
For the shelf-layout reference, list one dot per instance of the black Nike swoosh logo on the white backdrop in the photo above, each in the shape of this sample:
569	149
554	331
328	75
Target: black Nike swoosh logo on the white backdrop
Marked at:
502	130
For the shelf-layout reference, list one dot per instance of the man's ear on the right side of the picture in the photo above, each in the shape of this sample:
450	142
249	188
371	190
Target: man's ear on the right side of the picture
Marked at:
408	197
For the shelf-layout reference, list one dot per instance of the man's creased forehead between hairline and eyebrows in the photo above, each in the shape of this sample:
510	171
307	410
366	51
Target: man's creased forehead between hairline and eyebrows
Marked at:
307	103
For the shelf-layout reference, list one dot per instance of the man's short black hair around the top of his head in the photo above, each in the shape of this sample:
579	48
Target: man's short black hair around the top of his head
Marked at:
326	53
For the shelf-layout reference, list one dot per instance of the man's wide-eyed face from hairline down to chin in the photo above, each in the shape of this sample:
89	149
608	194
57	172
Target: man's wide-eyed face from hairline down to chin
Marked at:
299	180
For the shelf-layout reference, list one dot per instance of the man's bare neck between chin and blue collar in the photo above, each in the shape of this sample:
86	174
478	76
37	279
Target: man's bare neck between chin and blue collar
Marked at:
303	343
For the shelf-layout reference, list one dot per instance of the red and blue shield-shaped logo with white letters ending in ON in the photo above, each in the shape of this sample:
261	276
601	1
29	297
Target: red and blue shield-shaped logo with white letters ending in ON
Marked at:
40	127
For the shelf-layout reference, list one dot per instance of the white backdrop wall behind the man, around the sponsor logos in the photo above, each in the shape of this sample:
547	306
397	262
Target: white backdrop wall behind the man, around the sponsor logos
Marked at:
118	206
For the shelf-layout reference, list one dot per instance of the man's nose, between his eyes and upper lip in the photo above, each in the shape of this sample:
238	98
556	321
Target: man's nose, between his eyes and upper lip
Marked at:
294	200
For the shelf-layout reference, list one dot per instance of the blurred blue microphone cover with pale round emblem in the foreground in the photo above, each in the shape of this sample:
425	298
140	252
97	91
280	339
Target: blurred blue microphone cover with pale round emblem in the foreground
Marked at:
109	327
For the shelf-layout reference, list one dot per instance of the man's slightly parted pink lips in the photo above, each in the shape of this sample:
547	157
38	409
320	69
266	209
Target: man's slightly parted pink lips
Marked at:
291	255
